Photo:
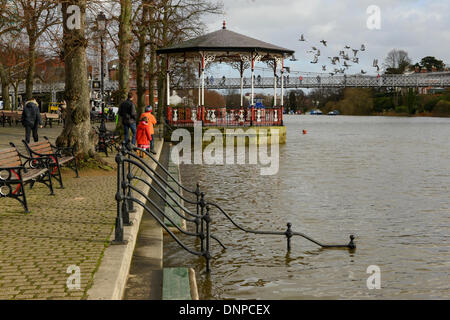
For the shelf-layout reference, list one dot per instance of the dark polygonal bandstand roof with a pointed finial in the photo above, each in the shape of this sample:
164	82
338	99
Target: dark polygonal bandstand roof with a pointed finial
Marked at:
224	41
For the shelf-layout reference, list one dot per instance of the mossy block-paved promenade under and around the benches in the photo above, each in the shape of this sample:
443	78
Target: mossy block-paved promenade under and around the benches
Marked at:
71	228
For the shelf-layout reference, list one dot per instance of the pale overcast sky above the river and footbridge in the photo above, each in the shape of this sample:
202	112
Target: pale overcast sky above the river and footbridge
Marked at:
420	27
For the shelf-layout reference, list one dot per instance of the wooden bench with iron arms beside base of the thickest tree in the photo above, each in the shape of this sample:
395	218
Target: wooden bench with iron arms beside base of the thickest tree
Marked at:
59	157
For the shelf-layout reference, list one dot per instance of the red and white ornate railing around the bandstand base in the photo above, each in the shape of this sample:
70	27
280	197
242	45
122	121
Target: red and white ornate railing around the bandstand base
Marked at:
224	117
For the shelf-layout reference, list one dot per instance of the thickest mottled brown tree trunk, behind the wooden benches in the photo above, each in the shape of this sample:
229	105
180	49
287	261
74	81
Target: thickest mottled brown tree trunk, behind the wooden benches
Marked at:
77	132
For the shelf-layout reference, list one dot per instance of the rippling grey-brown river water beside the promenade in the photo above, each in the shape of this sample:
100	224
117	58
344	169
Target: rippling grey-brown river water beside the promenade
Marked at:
384	179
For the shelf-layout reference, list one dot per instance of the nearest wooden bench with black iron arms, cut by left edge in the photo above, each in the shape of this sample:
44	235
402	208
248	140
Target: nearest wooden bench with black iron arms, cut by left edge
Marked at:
16	173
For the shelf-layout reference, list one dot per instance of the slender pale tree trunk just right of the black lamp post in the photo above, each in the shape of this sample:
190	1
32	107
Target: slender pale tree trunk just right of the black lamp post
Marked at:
124	48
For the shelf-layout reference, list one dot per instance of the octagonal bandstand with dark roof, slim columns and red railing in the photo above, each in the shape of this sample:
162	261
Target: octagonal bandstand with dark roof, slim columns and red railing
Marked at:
225	46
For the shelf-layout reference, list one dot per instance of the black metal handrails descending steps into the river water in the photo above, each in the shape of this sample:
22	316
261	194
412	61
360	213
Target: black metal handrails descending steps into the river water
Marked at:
127	158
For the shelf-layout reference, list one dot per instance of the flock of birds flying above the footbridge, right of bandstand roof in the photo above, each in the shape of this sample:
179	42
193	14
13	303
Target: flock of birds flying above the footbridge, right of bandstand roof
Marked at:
343	58
